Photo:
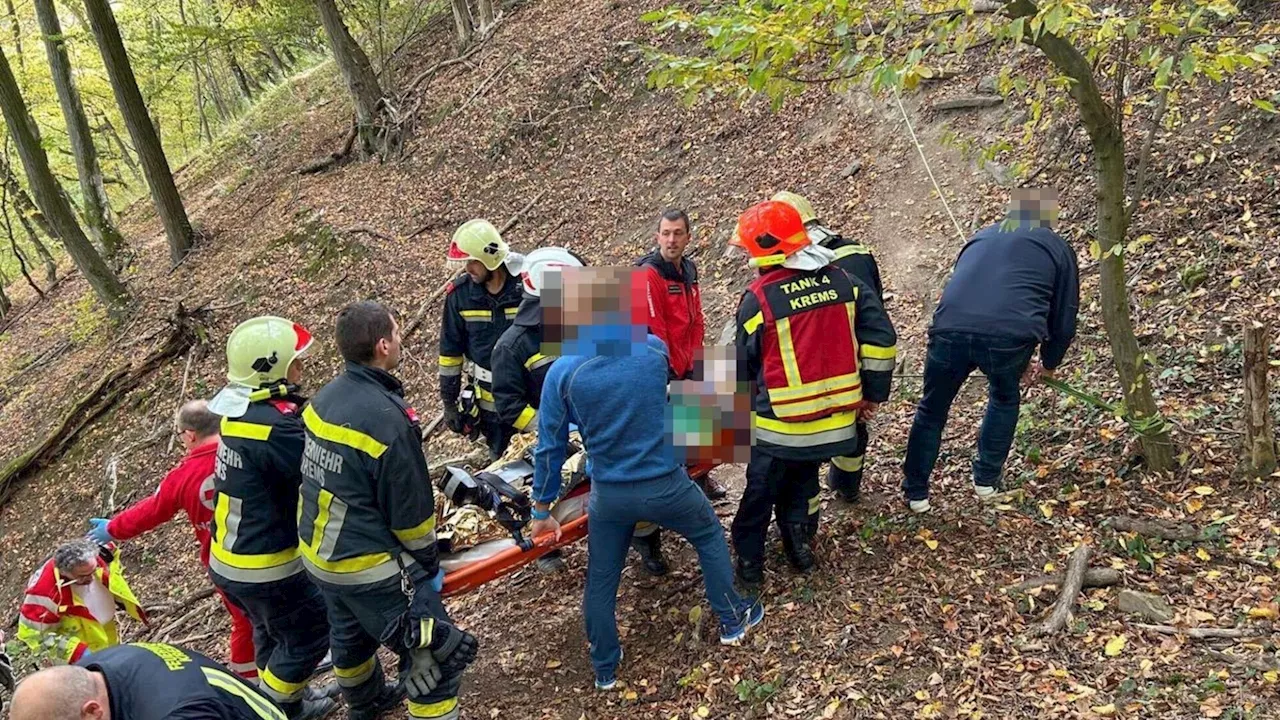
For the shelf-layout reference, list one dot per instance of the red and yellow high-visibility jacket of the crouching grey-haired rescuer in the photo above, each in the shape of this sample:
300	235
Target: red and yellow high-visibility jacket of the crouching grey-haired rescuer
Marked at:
53	618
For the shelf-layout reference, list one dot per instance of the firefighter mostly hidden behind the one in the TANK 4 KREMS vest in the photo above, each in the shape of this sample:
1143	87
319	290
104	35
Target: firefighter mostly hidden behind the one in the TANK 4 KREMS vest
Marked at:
845	476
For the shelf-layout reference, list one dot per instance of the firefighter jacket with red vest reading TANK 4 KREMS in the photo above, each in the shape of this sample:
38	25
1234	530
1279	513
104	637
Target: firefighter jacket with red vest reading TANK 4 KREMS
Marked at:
824	382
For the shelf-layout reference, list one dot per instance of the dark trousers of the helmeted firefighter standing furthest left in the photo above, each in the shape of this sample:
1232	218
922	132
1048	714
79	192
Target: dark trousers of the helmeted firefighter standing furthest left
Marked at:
291	635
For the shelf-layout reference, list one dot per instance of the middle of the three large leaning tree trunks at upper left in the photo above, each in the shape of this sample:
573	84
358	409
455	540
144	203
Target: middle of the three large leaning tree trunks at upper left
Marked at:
98	213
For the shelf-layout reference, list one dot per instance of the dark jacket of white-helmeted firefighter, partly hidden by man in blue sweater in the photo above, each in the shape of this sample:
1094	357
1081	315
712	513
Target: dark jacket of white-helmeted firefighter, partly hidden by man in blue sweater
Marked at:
520	367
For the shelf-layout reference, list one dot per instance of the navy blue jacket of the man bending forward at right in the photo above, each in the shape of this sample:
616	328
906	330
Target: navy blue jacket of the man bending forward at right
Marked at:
1020	285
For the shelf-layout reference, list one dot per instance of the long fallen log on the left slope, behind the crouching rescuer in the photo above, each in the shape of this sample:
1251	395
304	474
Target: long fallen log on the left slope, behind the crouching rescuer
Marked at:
99	400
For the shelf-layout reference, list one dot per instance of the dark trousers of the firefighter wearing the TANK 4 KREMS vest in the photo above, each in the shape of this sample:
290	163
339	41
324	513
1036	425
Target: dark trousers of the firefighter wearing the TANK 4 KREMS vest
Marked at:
788	489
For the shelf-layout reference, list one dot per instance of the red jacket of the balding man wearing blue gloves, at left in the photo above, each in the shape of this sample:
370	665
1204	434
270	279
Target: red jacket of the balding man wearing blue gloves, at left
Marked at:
189	487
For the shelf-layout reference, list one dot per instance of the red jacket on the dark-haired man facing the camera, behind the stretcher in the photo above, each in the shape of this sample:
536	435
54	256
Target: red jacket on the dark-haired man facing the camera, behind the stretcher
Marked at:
675	309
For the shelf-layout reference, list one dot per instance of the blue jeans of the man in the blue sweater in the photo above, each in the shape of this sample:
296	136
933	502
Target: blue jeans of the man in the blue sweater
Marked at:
675	503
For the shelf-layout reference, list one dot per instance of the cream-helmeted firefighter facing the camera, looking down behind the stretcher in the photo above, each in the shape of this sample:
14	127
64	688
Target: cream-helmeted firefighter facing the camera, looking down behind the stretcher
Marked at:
481	306
